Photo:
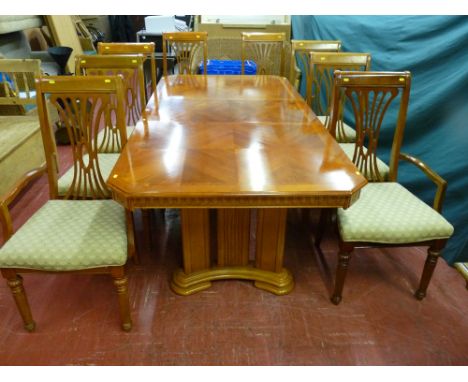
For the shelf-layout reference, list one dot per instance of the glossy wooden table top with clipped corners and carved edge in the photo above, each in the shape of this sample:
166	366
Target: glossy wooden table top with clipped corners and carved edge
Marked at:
217	141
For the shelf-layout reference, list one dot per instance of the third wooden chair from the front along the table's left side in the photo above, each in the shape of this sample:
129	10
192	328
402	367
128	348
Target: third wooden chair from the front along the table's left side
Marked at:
147	49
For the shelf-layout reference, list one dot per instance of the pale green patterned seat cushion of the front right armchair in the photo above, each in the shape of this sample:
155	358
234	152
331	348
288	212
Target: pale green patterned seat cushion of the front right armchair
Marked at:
389	213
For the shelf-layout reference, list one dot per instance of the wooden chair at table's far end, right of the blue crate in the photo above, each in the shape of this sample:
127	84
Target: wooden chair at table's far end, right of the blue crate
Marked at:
266	49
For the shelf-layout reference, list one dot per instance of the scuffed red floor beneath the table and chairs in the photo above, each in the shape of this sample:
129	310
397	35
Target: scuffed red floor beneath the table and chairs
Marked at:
379	321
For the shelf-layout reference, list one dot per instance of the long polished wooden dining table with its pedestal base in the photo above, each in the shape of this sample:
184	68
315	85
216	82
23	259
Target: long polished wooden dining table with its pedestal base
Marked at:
233	153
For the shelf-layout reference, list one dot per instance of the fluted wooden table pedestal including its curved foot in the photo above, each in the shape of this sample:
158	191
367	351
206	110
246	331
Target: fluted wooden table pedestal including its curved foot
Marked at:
216	247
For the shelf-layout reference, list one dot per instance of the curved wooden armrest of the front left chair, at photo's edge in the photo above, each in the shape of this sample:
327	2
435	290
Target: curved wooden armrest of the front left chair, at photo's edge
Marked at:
10	196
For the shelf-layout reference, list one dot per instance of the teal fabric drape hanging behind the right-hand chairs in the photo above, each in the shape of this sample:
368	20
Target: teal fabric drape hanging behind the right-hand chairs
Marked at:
435	50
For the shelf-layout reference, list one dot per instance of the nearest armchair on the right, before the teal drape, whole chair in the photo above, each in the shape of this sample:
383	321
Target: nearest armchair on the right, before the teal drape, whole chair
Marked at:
386	213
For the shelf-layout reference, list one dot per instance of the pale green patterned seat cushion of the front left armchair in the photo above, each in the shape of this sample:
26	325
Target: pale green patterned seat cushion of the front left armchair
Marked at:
69	235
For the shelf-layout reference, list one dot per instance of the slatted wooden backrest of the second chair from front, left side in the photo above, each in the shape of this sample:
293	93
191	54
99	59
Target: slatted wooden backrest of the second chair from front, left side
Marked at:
131	68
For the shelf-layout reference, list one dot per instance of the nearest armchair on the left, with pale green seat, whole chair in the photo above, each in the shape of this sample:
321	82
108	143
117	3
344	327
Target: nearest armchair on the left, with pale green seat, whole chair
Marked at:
83	232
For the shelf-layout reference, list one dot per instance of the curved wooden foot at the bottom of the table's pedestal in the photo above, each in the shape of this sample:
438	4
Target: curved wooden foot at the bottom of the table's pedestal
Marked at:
279	283
